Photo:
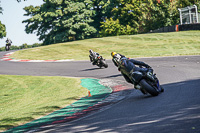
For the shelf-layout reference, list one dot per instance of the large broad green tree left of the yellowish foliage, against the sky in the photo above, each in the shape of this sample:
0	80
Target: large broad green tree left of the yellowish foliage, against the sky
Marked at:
60	20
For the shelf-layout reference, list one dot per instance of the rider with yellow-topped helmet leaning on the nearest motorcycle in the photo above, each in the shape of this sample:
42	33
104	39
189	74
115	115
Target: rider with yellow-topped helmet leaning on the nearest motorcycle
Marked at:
127	66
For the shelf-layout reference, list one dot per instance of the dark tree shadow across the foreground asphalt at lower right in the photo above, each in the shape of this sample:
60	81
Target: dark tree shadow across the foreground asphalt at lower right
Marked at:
175	110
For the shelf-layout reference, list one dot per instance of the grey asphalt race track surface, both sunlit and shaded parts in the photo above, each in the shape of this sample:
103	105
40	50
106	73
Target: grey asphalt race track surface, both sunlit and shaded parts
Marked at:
177	110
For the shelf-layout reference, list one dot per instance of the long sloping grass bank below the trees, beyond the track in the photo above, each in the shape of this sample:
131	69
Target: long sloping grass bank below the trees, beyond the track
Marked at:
142	45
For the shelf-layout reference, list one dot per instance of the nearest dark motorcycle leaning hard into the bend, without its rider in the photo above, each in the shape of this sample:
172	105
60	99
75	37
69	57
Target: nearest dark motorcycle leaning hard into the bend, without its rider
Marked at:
146	82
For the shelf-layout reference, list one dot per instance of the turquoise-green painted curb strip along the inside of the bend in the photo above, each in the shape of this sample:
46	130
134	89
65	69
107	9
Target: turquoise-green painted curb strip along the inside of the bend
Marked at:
74	111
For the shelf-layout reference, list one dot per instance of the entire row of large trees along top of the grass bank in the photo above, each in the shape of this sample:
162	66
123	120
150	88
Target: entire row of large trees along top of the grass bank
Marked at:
65	20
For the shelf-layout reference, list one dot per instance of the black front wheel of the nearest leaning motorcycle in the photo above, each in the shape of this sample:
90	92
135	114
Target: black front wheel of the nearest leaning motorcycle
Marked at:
150	89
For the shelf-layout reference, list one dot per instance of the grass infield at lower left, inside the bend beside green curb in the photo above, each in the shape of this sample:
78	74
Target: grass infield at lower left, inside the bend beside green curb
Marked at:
24	98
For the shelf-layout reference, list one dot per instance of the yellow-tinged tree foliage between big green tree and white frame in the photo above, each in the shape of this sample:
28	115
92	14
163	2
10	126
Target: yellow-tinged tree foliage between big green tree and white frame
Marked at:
143	16
